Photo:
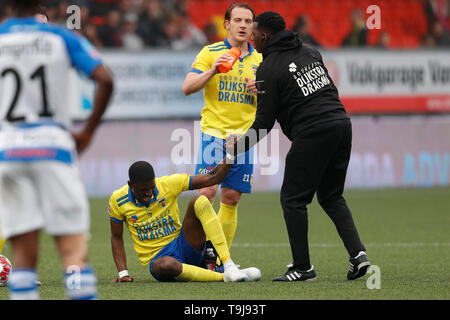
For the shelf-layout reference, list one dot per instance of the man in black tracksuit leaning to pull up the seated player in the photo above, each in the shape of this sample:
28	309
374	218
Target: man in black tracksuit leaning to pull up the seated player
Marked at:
295	89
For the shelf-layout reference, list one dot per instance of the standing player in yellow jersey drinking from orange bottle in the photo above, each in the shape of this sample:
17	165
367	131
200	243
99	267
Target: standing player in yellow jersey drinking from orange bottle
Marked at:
230	107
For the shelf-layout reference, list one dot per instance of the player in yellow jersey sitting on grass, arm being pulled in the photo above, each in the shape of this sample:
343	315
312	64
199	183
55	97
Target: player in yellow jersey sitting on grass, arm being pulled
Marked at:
173	250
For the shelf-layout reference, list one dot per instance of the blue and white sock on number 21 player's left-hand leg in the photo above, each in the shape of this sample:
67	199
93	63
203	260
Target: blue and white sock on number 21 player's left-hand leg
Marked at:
22	284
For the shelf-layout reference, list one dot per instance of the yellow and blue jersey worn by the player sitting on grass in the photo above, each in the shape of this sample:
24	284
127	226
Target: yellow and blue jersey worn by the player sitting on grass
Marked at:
154	225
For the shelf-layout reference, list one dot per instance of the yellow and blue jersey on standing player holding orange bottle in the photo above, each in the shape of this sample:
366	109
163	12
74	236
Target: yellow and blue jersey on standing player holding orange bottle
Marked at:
229	106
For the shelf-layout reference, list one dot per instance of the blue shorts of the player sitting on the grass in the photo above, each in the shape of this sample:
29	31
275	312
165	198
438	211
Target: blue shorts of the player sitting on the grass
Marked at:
181	250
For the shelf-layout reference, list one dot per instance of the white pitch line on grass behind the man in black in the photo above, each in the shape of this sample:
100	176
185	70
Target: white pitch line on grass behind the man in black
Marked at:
334	245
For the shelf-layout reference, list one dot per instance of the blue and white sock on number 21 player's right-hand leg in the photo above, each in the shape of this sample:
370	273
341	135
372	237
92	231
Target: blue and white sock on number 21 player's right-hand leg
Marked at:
80	284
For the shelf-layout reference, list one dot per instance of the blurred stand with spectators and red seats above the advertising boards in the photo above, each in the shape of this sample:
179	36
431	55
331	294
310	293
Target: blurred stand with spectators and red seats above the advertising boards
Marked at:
191	24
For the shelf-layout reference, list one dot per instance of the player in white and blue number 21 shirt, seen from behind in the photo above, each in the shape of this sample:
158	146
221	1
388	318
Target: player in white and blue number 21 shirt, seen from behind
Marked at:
40	182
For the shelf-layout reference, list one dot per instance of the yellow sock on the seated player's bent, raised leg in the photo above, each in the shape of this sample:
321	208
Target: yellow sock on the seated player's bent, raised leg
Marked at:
212	227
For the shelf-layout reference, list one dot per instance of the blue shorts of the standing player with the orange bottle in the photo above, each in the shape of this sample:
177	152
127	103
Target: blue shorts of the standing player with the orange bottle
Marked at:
212	151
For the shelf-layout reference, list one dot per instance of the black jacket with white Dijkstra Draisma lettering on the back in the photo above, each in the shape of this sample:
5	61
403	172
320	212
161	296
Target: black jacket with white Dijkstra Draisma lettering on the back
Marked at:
294	88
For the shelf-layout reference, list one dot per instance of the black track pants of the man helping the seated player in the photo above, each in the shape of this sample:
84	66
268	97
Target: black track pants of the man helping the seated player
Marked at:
317	162
